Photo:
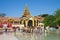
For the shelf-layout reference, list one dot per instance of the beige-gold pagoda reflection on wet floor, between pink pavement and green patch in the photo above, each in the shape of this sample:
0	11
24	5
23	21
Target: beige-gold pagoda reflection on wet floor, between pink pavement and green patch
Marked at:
29	36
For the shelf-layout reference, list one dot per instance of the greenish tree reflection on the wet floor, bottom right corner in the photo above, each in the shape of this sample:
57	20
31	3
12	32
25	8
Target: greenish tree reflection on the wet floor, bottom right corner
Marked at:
51	36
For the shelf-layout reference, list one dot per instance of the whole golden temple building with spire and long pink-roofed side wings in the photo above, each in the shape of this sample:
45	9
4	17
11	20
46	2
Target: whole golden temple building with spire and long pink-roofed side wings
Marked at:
27	19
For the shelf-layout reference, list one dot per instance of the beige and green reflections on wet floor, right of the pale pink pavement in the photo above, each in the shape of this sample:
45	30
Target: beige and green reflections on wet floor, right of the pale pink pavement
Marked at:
37	36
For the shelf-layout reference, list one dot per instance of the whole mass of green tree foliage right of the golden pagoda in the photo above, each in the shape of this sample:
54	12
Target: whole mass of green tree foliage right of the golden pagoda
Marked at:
52	20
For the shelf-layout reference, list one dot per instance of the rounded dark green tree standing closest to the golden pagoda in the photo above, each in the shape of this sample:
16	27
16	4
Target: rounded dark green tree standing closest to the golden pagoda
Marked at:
49	20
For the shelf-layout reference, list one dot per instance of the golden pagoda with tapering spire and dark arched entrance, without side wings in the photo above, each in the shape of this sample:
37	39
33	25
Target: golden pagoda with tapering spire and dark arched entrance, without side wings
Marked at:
27	19
